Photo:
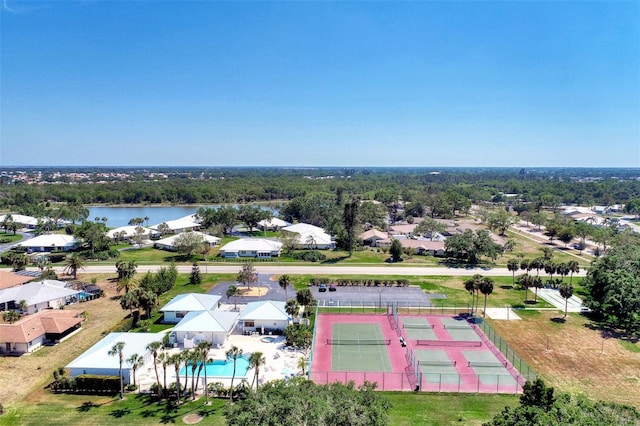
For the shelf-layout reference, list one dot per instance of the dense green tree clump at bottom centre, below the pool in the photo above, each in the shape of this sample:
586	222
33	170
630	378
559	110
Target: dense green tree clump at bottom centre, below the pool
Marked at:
302	402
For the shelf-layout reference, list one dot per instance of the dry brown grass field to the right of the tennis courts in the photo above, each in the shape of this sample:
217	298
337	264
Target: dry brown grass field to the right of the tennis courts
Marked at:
573	357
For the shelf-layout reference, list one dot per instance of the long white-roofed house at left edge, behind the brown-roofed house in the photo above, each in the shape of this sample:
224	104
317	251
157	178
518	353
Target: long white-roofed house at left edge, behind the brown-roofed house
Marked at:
37	296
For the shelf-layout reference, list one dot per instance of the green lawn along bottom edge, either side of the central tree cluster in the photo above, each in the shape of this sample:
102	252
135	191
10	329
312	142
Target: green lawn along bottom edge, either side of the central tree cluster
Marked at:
407	409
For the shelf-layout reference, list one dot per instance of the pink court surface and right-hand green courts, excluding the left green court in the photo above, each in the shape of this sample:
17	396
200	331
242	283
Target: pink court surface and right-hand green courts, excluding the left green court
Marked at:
457	357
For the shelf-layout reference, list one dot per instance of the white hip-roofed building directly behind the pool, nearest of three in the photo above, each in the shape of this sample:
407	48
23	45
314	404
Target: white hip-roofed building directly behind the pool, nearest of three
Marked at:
205	326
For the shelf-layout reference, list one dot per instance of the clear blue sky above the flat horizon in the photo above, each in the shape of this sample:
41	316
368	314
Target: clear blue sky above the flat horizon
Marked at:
511	83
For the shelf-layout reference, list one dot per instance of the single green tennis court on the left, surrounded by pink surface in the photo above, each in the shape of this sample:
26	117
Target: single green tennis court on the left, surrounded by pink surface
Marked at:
351	356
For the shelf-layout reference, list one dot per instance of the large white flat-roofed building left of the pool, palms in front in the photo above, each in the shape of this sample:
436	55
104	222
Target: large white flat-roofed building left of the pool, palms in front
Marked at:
96	360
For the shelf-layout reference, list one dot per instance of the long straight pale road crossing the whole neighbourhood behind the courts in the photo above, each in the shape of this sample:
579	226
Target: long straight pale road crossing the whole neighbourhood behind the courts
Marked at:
319	270
